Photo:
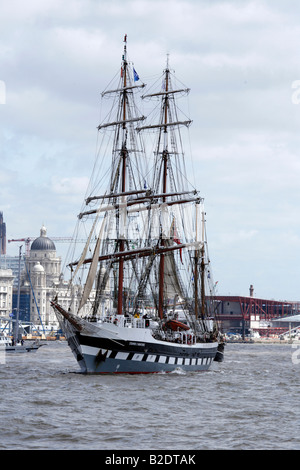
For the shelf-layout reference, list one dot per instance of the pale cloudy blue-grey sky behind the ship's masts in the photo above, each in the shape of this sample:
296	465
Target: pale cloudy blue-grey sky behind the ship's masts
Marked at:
241	59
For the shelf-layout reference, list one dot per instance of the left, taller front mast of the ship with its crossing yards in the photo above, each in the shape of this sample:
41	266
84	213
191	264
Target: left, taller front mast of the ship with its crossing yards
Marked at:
123	180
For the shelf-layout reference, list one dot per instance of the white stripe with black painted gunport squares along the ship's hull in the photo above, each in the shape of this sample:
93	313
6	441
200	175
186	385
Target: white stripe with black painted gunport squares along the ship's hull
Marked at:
125	356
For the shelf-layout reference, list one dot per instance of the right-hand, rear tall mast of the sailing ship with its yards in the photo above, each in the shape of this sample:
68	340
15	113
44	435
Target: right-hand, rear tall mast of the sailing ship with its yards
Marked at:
165	172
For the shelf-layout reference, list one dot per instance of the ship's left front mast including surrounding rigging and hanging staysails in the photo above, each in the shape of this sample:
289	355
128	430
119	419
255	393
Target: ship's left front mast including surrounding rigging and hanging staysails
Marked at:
111	233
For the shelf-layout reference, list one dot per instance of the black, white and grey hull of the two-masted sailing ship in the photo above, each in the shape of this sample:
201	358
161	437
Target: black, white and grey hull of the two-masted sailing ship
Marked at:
104	351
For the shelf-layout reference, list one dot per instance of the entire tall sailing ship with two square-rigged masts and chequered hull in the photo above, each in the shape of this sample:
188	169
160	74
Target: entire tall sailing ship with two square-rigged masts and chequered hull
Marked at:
147	289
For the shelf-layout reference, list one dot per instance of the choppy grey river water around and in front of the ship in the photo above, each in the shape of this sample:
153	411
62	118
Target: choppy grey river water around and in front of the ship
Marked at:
250	401
